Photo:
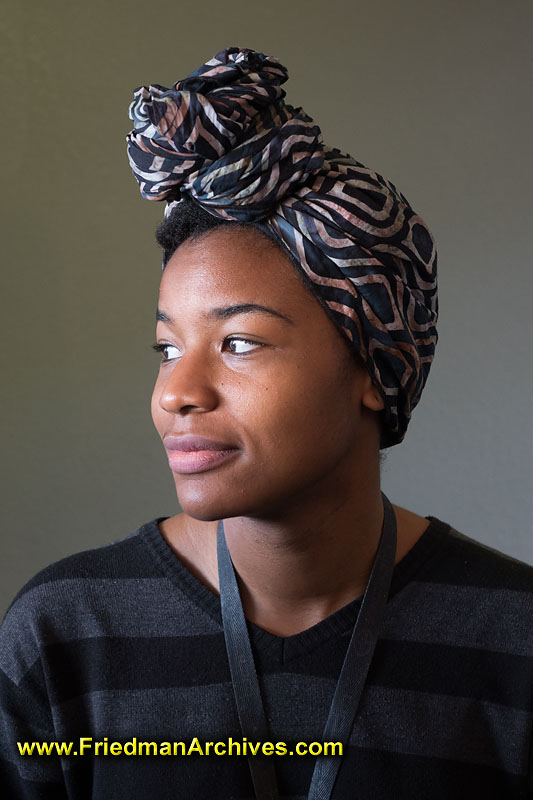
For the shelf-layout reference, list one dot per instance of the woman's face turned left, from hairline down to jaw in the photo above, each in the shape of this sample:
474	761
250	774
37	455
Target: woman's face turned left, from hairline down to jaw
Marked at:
278	389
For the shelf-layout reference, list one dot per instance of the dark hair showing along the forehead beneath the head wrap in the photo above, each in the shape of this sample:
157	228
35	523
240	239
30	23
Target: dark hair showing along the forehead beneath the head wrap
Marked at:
189	220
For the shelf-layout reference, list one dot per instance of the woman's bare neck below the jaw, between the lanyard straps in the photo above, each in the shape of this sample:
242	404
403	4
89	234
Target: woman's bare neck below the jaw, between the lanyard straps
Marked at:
296	571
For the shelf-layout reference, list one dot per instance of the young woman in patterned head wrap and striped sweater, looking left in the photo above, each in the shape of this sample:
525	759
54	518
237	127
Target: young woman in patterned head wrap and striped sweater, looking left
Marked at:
289	604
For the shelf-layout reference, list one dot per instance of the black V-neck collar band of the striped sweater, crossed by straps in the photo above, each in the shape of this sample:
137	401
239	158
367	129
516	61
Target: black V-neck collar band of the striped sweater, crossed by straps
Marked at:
287	647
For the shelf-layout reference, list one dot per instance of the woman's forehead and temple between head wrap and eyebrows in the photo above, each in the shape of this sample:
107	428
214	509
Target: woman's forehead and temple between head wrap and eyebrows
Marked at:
208	277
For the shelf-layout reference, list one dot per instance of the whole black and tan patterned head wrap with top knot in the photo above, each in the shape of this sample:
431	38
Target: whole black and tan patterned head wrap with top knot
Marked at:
225	136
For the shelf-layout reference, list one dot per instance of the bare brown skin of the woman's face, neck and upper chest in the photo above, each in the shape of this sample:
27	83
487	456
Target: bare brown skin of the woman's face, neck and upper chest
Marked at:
301	500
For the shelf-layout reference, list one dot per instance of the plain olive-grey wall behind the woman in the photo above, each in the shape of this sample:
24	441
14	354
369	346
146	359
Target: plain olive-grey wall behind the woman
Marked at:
436	96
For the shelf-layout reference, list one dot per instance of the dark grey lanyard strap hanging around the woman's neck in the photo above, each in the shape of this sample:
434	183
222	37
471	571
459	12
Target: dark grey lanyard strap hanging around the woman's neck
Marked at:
351	680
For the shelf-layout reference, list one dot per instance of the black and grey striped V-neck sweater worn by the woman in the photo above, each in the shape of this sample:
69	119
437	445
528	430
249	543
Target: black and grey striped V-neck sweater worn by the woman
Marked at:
123	644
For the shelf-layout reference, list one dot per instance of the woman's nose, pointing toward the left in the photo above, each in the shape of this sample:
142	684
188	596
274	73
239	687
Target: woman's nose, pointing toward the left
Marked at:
189	385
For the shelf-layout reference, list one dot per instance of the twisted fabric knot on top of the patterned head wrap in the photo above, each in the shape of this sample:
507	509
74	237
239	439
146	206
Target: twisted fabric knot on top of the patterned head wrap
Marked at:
225	135
